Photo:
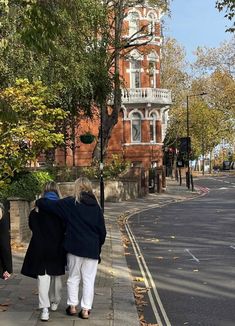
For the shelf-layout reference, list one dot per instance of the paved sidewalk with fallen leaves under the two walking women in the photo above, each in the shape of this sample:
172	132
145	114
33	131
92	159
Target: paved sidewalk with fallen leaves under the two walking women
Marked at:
114	303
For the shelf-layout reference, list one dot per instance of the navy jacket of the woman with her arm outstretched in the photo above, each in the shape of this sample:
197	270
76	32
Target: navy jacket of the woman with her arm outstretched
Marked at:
85	227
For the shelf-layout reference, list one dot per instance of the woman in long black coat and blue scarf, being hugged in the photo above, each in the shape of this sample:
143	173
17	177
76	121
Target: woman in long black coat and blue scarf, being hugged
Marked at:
45	258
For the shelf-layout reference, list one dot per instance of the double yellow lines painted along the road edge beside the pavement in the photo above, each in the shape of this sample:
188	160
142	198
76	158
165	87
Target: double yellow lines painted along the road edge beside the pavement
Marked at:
148	280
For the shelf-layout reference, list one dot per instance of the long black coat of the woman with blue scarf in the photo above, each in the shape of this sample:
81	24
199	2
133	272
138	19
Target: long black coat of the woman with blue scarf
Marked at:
45	253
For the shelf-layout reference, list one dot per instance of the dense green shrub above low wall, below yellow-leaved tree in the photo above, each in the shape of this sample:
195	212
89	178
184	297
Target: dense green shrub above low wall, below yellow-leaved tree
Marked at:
27	185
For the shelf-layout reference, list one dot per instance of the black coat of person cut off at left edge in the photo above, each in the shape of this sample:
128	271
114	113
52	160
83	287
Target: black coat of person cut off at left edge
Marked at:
5	247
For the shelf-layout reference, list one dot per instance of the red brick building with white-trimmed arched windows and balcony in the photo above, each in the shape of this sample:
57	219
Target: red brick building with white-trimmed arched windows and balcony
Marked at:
138	136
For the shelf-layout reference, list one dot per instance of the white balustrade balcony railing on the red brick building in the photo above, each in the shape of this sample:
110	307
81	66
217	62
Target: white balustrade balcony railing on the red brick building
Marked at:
146	95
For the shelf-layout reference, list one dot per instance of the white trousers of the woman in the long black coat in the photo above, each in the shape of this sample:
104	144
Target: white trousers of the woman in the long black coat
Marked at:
49	290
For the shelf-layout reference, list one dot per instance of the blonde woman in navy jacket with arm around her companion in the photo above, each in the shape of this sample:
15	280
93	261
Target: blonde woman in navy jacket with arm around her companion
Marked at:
84	237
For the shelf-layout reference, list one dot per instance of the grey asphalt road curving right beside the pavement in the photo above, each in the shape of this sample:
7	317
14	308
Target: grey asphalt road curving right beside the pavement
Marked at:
186	251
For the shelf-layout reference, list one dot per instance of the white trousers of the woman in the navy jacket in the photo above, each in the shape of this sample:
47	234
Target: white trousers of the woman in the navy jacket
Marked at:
84	269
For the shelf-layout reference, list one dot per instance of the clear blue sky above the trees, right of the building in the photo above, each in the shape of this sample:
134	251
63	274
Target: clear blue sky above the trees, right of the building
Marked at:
196	23
